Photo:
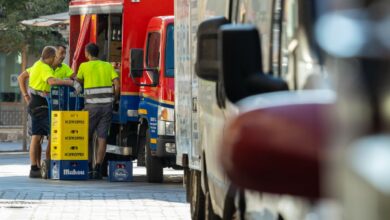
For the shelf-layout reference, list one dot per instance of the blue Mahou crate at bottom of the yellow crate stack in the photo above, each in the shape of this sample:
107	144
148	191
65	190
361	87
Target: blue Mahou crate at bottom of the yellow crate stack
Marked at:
69	169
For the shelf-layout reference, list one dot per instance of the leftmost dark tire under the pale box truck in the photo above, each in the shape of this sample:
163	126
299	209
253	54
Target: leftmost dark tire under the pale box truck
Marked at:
197	201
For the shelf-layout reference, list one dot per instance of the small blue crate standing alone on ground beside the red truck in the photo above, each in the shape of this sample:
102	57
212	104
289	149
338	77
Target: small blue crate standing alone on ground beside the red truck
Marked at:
120	171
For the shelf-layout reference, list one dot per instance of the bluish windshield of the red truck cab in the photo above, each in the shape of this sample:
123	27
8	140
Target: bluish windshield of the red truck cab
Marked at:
170	53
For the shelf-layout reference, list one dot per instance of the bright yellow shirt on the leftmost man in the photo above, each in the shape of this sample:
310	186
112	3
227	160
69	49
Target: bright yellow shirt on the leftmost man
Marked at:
40	72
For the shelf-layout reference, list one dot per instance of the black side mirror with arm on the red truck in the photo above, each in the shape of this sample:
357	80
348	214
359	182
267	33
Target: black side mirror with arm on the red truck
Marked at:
137	69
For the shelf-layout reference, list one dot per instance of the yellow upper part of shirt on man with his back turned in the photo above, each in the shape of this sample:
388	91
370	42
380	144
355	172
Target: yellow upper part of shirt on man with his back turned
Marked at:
96	73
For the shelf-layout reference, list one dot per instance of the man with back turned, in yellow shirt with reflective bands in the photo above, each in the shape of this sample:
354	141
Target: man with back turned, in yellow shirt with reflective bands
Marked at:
99	95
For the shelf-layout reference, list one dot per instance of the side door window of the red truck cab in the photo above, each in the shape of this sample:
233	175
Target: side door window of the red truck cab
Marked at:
153	50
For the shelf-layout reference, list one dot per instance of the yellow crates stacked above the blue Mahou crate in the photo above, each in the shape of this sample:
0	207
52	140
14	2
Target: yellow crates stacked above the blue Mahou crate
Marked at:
69	135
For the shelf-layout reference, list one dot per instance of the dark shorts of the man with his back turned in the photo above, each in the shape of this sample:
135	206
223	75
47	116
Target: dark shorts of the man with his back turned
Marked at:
99	119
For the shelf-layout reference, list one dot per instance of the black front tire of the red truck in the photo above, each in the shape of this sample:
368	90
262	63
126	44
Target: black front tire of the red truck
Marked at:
154	166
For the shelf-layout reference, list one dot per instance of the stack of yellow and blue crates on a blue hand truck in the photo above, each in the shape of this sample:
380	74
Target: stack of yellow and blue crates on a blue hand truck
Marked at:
69	136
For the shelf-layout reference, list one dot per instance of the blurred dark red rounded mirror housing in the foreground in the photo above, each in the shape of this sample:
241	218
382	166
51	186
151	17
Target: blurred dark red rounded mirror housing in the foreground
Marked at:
277	149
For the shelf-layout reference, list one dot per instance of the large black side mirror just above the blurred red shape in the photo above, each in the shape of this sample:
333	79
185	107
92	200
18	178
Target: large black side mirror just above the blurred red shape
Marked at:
242	70
